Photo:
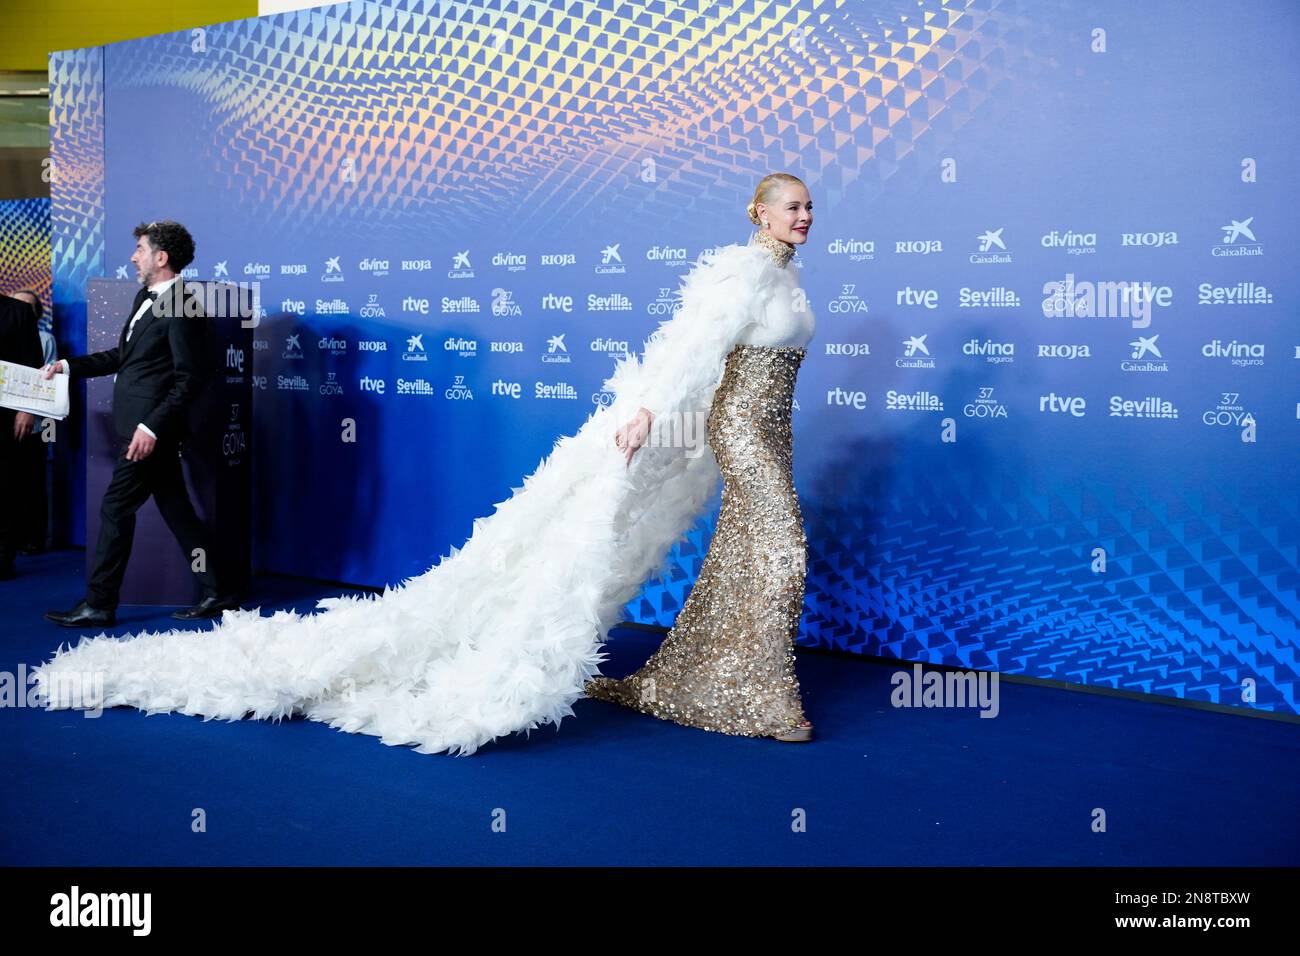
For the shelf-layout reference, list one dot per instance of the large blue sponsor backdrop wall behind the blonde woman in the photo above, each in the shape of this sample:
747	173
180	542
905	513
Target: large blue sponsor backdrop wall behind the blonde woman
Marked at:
1048	425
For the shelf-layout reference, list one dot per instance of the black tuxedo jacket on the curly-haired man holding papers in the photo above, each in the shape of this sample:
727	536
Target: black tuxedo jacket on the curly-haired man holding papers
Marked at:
161	371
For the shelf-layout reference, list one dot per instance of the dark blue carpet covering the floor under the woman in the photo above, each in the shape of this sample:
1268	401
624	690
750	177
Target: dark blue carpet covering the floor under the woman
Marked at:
879	786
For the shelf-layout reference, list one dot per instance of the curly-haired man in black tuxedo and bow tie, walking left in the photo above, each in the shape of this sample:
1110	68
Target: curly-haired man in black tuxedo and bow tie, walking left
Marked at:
159	373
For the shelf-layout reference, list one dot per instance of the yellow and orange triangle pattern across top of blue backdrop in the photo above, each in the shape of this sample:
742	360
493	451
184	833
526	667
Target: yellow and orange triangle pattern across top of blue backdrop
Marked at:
418	109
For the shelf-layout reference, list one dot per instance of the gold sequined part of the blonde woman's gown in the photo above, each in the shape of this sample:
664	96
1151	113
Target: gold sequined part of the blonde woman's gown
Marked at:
729	663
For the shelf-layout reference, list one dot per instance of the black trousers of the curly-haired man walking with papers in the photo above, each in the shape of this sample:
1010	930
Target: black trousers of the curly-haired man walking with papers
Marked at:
133	483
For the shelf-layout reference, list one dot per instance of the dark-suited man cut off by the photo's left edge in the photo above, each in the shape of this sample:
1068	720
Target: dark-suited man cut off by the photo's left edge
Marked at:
20	344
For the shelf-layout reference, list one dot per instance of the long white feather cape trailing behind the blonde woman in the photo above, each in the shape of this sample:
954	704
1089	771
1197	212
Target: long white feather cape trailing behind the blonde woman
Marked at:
504	633
